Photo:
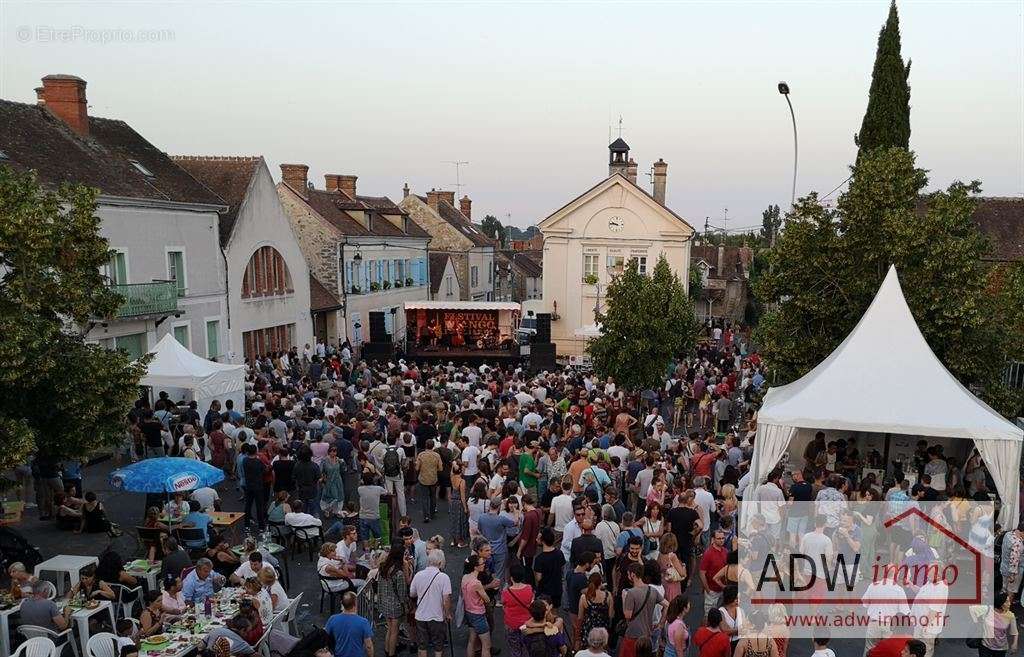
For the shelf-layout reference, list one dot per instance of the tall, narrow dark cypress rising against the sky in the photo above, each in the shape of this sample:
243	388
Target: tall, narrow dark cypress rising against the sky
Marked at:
887	122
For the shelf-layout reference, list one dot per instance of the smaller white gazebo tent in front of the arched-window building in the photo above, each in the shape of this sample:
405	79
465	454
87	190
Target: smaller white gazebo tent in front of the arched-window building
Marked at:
183	374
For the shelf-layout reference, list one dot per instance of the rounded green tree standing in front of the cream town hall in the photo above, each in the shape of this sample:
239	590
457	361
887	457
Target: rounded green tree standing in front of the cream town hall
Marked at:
649	321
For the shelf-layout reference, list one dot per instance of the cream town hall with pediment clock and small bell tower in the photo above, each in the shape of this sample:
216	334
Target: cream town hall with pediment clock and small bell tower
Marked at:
592	239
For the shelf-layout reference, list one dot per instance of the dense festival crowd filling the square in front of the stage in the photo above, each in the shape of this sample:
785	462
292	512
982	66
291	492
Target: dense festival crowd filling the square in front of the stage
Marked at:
594	517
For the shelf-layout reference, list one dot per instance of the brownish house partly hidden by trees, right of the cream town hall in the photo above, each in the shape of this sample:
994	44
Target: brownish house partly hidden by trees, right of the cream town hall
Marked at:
726	286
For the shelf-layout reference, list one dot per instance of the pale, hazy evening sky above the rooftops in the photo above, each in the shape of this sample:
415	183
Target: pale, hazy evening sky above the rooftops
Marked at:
529	94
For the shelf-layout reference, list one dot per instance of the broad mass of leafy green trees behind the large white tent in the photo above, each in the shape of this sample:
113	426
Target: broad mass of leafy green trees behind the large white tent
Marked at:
828	266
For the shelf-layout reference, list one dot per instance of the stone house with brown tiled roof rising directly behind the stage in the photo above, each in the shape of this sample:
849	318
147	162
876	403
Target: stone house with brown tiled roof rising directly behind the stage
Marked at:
453	232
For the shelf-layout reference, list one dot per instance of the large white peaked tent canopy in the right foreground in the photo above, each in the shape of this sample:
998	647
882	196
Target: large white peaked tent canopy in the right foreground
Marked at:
884	378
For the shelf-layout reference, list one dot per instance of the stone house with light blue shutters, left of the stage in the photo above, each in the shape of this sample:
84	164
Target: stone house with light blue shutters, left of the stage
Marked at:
365	253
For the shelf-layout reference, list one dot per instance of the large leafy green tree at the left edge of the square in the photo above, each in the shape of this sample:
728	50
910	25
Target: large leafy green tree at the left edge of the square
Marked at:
59	396
